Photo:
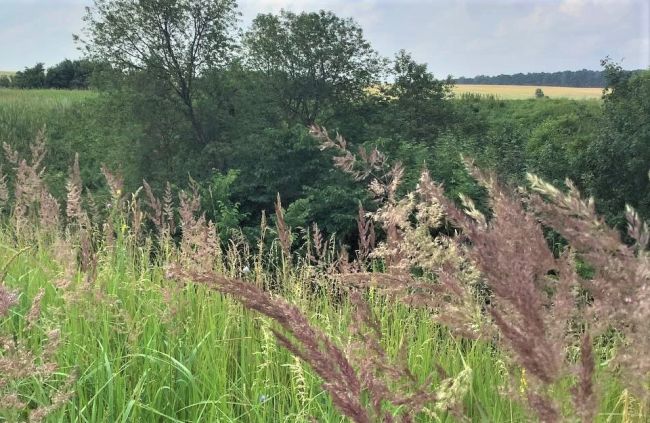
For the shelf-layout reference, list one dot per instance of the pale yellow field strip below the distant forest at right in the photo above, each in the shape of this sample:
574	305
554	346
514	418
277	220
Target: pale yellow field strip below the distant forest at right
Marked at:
521	92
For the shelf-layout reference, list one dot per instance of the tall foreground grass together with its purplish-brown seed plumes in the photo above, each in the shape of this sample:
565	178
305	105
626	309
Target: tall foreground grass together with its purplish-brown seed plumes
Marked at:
127	330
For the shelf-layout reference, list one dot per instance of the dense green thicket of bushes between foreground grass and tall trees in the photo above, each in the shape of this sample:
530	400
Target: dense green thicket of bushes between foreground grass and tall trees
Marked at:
257	152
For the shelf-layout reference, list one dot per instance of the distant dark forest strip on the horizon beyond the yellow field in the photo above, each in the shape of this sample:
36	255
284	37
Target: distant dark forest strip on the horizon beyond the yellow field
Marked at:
581	78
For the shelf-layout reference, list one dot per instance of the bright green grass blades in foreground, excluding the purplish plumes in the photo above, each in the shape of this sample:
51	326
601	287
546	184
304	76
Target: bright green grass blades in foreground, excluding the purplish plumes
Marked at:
147	350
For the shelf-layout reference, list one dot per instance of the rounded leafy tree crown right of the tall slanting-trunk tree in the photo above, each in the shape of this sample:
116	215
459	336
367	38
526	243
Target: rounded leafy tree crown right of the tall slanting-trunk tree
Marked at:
312	61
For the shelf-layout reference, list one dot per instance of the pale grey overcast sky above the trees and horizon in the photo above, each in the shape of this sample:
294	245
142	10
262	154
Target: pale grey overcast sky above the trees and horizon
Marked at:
461	38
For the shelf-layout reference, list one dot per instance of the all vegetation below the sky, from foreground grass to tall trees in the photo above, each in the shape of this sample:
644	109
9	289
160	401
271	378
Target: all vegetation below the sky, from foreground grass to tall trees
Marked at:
186	251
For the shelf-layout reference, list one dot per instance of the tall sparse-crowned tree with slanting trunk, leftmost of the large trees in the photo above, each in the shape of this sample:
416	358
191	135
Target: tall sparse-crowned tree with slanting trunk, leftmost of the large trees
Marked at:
174	40
